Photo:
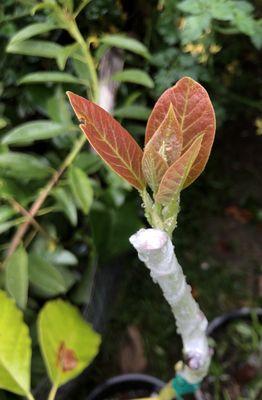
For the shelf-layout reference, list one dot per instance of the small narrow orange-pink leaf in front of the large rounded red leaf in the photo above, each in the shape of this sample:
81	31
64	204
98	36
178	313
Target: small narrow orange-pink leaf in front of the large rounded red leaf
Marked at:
176	175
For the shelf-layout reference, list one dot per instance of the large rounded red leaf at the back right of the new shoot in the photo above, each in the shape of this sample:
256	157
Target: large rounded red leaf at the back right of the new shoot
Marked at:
195	115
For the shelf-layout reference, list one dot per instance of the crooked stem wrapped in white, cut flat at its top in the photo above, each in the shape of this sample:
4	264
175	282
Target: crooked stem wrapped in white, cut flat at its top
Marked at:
156	250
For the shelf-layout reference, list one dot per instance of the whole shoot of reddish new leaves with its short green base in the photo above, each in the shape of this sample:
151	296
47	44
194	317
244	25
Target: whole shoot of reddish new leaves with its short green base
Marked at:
178	139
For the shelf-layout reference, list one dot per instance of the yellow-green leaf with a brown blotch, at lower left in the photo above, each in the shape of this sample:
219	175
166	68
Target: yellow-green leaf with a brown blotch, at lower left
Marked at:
61	328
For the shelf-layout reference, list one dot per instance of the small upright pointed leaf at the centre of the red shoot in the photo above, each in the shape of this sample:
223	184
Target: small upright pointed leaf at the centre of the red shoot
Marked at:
168	139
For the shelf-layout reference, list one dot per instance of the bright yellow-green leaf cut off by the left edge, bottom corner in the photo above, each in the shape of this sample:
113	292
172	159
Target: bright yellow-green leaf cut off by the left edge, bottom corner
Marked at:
15	348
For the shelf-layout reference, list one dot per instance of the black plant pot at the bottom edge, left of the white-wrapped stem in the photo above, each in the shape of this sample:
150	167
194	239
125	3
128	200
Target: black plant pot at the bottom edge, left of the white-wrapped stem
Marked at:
127	386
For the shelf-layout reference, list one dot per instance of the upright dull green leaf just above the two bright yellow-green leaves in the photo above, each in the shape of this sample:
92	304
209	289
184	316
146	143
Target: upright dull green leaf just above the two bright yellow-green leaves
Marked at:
16	276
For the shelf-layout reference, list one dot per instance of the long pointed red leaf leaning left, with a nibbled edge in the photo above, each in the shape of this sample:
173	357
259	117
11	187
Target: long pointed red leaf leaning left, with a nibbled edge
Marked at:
111	141
